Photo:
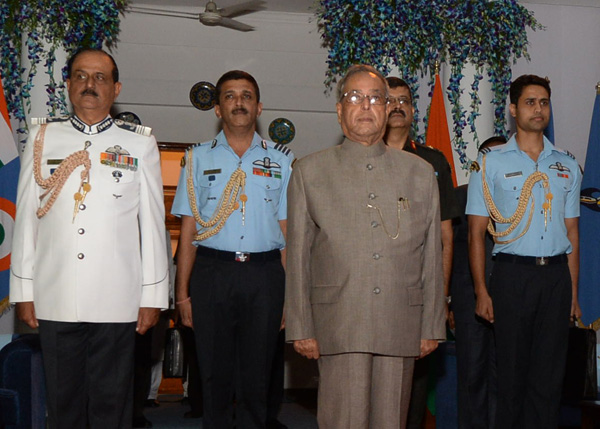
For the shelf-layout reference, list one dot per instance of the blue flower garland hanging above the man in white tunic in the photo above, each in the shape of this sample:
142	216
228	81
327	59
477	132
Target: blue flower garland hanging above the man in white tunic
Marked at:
49	25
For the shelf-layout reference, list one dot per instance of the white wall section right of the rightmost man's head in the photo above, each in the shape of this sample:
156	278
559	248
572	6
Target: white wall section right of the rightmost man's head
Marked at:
567	52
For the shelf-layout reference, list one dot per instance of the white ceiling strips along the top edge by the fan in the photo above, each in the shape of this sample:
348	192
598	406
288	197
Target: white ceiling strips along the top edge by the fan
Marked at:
305	5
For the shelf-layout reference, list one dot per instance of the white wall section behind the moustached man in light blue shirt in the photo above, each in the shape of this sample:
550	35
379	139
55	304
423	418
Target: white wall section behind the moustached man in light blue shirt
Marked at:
161	58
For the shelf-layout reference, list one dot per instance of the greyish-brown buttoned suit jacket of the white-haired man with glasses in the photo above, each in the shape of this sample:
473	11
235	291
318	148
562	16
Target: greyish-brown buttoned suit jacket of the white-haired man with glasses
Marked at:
350	285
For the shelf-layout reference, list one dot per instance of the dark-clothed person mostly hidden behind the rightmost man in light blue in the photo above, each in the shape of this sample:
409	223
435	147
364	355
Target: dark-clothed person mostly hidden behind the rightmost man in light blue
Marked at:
475	347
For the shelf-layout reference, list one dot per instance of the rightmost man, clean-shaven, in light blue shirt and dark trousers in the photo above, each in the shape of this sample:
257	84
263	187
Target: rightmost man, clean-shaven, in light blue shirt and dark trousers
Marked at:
530	189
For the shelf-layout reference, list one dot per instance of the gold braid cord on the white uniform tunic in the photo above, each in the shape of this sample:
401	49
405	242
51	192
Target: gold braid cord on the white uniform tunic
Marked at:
54	184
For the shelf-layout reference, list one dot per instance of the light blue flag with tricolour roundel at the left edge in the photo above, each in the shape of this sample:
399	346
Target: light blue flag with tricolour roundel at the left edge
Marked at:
9	176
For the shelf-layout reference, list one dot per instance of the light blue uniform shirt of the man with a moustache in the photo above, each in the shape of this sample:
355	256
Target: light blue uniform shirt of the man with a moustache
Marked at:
267	167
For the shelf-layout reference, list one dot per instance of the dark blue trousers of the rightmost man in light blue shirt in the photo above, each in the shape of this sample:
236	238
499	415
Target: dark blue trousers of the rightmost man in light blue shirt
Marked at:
531	310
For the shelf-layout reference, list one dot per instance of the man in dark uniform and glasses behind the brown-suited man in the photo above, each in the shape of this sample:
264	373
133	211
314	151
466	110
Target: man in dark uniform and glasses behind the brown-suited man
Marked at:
398	136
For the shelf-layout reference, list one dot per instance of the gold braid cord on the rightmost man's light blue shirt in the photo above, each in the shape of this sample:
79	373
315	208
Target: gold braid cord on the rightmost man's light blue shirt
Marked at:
517	217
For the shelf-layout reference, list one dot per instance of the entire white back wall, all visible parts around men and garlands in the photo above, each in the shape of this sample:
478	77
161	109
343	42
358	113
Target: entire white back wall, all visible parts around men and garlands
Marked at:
161	58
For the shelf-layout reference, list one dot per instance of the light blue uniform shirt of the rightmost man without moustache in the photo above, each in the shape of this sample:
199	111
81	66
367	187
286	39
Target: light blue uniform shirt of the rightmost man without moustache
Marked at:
507	168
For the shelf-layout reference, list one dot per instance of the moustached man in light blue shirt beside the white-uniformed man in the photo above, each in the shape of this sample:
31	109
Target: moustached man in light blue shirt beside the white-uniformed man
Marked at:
232	200
